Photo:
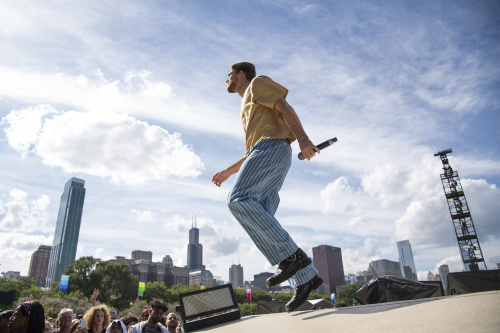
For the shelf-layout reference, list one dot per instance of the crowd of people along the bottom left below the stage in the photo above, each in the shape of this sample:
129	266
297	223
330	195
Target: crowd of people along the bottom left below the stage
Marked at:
30	317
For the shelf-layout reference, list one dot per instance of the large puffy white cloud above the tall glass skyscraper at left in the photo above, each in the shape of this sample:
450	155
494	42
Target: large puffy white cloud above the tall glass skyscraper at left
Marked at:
102	144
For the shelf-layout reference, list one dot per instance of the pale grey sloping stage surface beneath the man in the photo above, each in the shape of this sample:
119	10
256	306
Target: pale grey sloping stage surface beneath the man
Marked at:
477	312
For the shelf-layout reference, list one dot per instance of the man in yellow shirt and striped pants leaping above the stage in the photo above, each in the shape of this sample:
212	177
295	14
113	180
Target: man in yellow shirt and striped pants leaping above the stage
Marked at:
270	125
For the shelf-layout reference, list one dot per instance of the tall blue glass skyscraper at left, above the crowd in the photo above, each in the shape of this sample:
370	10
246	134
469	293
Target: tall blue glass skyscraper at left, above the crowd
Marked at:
69	218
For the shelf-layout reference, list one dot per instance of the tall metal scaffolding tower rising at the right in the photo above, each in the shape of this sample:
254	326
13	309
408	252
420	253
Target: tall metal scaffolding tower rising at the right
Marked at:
465	231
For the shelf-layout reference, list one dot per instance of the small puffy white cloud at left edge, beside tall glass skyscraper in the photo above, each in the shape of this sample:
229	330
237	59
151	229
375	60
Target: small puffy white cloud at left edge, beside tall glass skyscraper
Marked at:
24	215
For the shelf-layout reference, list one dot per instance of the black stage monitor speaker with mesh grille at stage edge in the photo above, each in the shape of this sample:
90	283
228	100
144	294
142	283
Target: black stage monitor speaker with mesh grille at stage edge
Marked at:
208	307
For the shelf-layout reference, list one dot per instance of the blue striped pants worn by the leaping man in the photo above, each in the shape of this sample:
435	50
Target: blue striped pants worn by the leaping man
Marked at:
254	199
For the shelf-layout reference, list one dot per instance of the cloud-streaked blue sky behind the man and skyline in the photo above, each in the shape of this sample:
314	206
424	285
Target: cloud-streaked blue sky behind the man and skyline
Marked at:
131	98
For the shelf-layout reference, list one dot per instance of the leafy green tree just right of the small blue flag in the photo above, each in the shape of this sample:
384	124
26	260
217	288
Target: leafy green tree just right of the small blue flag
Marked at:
80	273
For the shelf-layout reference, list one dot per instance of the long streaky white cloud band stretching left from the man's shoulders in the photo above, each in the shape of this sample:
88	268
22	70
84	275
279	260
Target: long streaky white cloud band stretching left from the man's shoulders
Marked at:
137	94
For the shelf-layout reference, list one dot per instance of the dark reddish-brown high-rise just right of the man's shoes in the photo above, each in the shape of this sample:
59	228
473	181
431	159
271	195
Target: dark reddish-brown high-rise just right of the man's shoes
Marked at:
328	260
